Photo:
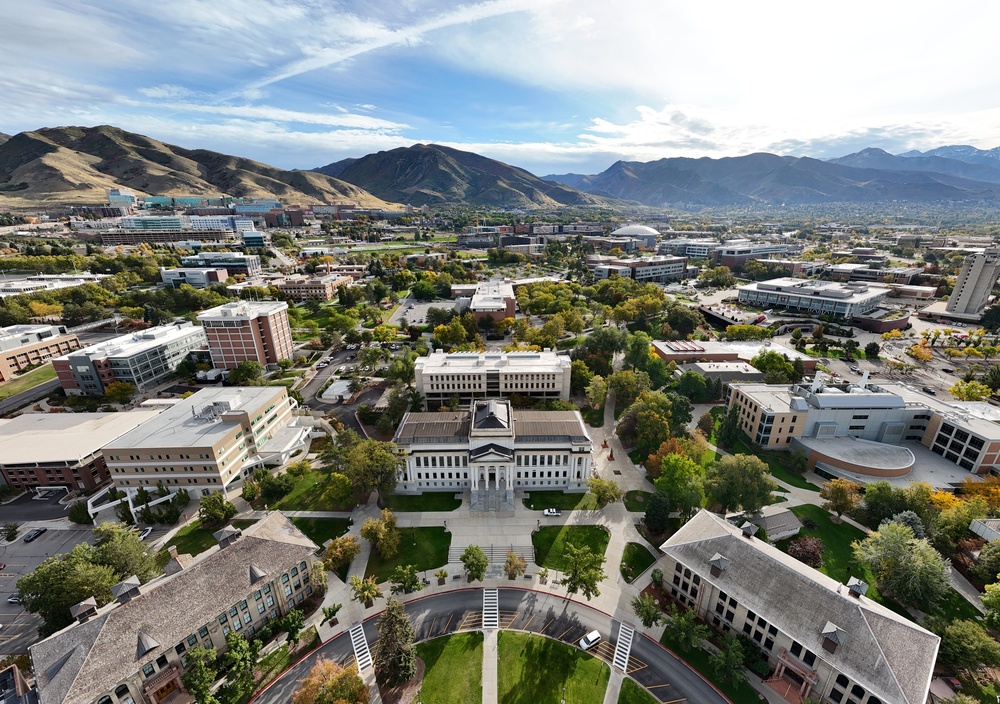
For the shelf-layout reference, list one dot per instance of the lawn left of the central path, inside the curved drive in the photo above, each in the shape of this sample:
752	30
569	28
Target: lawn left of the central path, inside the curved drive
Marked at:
454	669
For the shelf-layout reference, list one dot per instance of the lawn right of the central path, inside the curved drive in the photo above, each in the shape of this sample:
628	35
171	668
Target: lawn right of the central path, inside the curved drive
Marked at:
536	669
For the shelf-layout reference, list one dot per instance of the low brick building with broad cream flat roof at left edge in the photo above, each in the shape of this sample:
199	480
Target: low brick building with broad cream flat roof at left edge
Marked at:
61	449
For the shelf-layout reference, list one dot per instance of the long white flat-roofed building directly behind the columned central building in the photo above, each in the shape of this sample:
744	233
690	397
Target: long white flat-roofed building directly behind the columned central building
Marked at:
442	377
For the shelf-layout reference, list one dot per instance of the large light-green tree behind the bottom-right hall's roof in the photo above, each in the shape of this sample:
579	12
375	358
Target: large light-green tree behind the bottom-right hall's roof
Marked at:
909	569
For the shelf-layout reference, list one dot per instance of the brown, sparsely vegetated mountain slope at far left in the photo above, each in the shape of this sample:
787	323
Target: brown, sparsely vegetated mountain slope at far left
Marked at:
77	164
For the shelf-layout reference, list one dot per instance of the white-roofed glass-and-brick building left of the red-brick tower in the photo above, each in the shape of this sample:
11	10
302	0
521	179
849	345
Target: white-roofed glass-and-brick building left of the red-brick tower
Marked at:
142	359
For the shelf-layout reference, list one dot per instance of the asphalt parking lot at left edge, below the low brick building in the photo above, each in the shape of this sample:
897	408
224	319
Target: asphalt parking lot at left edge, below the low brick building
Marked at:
19	628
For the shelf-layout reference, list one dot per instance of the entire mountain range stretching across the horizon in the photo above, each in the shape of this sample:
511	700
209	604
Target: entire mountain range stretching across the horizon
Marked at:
76	165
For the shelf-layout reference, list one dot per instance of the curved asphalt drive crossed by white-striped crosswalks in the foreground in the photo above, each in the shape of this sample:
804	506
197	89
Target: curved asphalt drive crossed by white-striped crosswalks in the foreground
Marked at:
667	678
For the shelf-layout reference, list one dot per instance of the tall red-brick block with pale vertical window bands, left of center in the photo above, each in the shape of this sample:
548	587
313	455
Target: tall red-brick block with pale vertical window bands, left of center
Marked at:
255	331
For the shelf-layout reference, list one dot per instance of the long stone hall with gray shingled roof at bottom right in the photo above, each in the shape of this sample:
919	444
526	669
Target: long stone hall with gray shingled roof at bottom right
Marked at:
824	640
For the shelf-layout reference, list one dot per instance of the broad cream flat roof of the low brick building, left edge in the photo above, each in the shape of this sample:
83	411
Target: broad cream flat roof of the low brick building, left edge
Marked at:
61	437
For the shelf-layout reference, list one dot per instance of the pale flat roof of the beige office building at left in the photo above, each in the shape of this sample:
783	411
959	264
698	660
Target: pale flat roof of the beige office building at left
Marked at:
192	422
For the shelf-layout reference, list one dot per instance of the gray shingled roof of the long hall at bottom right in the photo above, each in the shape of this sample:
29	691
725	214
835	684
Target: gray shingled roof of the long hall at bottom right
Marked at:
888	655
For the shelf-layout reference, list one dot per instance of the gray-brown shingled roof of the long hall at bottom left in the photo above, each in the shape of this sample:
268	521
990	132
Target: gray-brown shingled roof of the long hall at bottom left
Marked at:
81	662
